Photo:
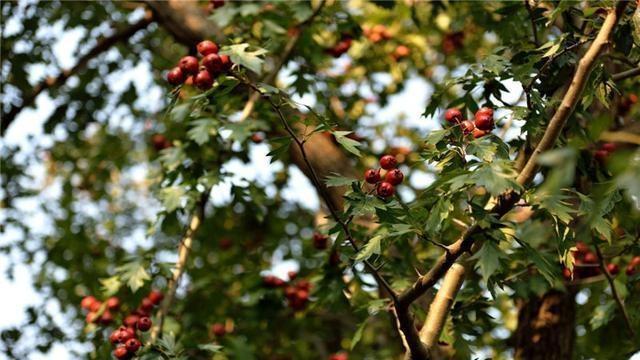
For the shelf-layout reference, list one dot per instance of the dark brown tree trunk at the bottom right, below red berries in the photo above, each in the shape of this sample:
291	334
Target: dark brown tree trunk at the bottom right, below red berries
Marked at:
546	327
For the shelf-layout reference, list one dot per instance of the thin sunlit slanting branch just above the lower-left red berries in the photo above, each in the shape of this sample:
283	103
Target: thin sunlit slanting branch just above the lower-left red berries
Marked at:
183	253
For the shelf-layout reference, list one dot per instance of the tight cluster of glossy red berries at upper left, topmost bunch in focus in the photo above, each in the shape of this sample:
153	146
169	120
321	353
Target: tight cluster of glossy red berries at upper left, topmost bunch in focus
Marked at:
200	73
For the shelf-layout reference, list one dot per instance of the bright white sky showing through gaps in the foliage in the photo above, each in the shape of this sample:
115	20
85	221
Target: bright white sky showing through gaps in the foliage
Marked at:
27	129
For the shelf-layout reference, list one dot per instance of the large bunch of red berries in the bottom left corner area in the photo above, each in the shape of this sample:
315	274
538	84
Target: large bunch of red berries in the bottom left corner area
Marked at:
124	338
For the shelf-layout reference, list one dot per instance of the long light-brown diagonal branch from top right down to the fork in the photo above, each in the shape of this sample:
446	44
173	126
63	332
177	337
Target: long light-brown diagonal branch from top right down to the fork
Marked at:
507	201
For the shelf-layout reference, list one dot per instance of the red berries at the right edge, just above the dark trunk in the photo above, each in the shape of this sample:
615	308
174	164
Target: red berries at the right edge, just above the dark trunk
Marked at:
587	265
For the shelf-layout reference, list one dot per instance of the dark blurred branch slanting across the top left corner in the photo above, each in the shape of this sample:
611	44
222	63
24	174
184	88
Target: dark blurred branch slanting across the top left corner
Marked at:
51	82
